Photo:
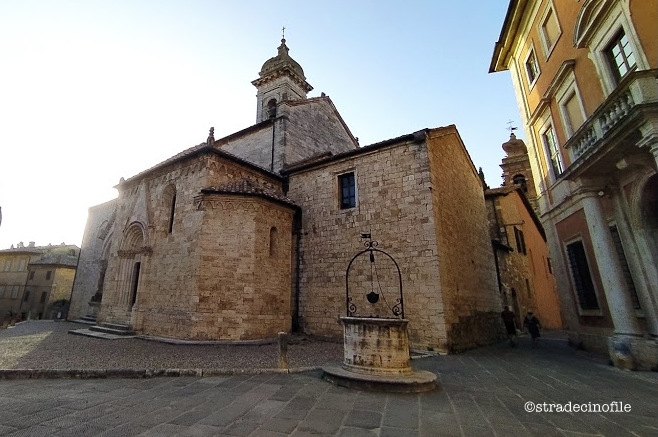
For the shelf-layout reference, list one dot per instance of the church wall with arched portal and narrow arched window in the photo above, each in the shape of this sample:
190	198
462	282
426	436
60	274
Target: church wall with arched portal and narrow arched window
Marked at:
168	273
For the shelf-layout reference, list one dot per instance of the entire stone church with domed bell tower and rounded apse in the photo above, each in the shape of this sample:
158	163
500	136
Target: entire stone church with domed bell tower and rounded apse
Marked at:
245	236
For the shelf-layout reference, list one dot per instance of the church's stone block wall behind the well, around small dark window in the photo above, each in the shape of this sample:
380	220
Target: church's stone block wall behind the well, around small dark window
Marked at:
394	203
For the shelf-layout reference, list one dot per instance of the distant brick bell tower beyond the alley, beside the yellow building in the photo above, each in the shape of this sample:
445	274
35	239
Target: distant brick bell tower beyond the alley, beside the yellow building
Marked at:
516	168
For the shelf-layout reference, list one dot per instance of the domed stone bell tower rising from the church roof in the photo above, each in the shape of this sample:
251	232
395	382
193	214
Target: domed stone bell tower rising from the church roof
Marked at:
281	79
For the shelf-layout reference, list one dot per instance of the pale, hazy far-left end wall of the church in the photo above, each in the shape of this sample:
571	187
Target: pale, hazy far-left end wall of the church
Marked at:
96	235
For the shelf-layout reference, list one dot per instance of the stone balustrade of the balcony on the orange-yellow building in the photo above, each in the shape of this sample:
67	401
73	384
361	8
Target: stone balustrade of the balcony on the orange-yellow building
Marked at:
639	87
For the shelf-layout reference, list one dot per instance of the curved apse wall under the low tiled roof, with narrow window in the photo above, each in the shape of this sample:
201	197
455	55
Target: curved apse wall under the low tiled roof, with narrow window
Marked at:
245	269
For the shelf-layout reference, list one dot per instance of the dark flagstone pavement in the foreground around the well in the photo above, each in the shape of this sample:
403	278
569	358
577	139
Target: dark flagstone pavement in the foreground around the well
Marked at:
482	392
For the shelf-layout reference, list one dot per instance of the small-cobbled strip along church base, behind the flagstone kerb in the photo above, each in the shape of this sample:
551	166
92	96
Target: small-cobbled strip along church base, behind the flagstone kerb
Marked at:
47	345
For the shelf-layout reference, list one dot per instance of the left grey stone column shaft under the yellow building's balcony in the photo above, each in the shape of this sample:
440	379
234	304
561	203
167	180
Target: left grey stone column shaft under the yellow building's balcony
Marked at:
614	285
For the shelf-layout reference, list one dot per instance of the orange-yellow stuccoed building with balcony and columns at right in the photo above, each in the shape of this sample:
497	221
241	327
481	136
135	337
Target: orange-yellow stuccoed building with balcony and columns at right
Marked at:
585	78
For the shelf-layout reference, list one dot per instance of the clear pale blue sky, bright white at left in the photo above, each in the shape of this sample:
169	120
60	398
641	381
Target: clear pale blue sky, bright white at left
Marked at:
92	91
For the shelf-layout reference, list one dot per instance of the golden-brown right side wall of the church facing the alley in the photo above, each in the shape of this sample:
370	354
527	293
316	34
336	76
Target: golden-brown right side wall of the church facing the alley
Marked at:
469	289
